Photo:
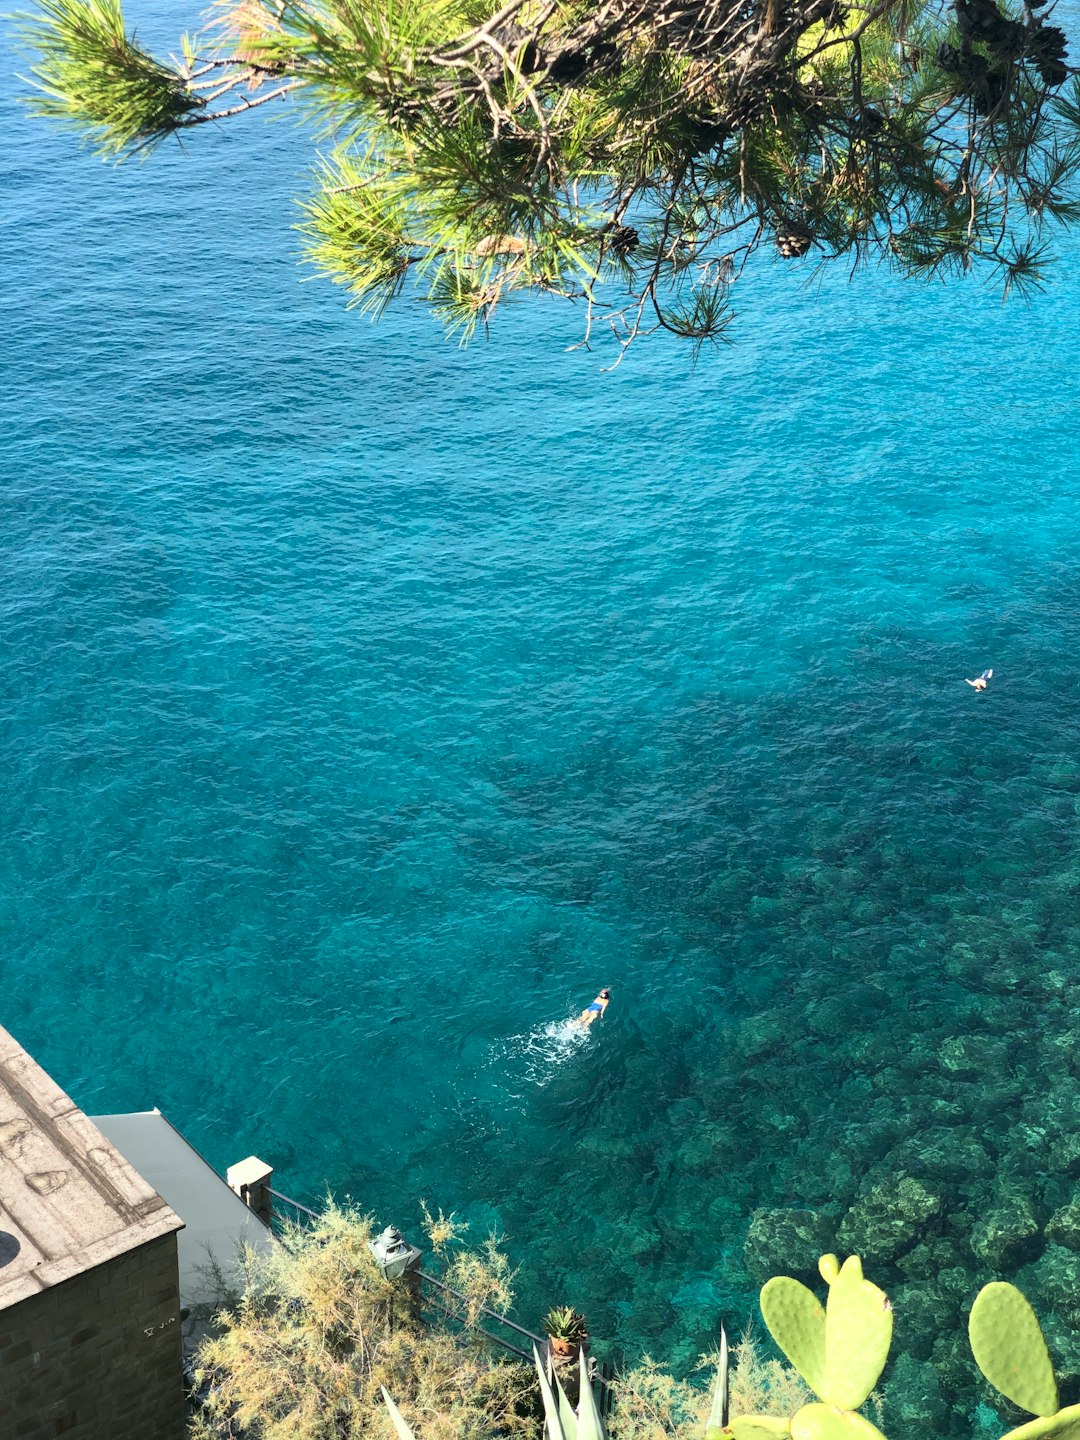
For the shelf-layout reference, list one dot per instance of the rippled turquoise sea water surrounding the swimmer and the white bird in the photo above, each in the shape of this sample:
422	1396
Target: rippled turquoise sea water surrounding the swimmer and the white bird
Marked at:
369	703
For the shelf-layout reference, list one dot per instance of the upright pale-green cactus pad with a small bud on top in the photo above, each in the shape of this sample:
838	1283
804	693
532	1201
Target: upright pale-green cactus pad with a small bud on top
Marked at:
859	1331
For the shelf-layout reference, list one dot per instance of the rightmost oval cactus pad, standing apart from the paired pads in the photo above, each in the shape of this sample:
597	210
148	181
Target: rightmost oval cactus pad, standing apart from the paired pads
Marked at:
1009	1349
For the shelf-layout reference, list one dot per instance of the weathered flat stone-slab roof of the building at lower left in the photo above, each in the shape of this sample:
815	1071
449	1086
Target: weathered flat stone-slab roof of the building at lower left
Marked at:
68	1199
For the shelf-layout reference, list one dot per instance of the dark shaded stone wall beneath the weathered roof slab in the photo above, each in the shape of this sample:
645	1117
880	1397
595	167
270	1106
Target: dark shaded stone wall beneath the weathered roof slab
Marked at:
97	1357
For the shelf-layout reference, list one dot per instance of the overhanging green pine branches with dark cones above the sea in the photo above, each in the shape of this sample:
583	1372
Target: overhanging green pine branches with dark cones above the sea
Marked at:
623	153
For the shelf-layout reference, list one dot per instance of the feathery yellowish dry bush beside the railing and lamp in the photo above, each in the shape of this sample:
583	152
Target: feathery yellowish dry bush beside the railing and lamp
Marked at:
319	1331
